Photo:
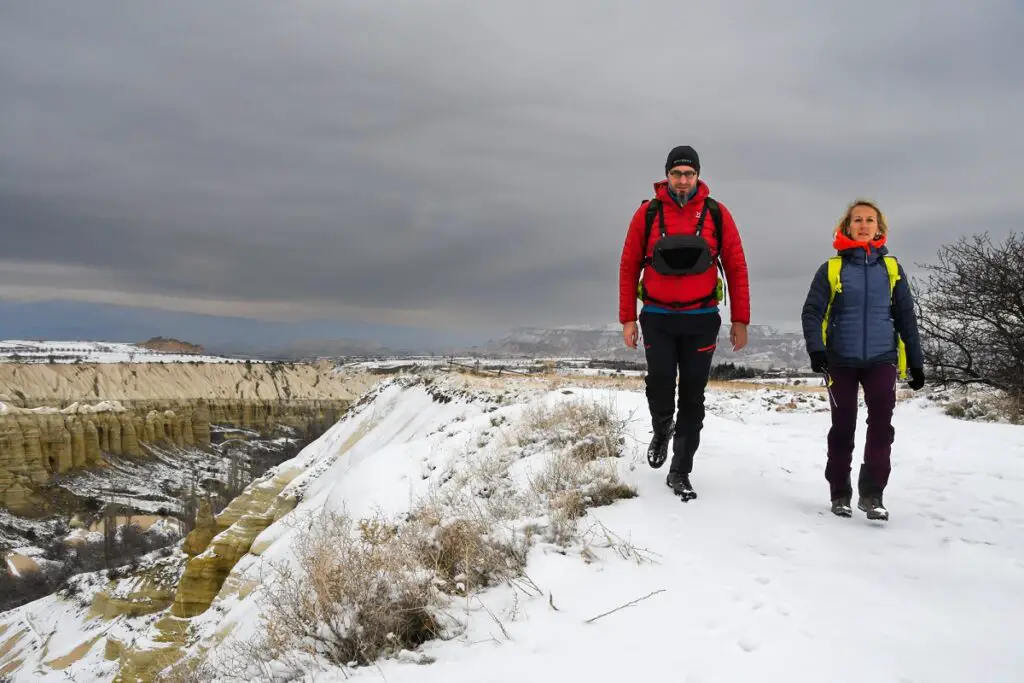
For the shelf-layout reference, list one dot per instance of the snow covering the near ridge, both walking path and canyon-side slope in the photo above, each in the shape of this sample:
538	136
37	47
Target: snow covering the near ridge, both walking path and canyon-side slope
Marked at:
755	581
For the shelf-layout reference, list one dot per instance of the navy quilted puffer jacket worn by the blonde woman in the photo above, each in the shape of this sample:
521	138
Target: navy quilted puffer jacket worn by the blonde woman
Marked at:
864	321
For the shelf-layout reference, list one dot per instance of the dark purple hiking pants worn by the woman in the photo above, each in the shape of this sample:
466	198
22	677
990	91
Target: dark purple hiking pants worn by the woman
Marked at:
880	397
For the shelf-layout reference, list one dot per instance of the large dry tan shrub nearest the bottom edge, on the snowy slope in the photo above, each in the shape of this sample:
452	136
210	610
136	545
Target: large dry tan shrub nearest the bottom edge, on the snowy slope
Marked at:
351	599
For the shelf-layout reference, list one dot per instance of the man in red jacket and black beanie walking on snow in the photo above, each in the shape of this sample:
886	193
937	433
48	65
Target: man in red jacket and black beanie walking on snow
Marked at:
680	317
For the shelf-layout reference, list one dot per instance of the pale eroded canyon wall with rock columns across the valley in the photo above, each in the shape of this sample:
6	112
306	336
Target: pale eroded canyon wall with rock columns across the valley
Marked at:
48	429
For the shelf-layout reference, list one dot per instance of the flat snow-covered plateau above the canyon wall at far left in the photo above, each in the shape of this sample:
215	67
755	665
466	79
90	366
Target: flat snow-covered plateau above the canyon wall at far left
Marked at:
88	352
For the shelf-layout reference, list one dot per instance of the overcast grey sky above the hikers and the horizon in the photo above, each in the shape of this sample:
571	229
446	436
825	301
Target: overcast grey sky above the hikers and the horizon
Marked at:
478	163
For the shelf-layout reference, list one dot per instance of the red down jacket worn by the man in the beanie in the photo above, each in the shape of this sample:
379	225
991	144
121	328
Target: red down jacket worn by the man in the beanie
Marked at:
684	221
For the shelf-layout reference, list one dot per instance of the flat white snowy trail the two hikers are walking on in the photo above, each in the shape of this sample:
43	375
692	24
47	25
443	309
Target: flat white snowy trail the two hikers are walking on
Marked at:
760	582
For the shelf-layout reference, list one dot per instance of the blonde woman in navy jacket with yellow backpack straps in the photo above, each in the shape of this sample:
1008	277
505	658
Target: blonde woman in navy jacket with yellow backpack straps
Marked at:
860	348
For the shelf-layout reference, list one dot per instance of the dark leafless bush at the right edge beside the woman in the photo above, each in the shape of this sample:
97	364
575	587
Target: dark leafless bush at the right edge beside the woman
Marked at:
972	315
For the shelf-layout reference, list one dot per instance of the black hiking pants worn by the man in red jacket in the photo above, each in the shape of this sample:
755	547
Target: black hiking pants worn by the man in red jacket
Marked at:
679	346
